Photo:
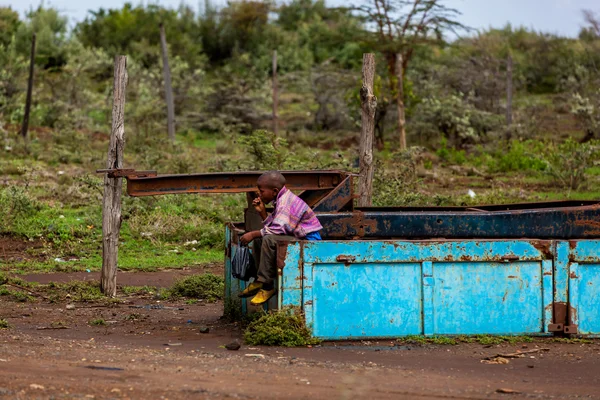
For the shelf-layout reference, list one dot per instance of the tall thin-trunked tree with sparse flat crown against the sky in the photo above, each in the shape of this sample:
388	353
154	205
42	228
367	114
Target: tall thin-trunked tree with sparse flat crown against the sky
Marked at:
399	27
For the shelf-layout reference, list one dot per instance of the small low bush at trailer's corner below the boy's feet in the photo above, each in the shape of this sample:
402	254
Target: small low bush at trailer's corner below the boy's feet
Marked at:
285	327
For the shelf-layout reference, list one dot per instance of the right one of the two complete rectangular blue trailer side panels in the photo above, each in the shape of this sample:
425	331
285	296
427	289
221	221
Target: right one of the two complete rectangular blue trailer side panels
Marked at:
501	298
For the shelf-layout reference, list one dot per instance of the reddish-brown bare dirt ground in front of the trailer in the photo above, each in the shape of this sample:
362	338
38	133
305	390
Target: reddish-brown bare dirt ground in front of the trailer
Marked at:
53	352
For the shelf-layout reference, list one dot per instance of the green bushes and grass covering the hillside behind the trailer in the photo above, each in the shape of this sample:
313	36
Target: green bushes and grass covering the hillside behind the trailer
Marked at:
220	58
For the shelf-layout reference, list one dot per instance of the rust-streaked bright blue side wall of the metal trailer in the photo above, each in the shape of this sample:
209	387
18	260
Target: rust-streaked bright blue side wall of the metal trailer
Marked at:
390	288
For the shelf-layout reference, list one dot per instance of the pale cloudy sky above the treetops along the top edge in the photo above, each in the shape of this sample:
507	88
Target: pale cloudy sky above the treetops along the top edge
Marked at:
552	16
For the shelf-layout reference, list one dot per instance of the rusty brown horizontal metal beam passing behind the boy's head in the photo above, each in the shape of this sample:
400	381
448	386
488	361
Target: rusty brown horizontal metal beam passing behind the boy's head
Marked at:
228	182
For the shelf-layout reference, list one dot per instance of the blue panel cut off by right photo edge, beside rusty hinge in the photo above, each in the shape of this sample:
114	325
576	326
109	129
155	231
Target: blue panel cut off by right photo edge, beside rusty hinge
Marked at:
584	293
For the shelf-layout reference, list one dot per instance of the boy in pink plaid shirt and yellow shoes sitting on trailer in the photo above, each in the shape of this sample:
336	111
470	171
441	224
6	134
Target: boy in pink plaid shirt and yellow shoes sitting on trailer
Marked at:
291	219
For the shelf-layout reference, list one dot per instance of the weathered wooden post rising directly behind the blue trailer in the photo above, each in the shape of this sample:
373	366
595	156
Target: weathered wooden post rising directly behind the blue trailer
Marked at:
368	105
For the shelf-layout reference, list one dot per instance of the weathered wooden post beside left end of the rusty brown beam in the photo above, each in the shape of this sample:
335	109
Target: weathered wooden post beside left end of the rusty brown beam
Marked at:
111	210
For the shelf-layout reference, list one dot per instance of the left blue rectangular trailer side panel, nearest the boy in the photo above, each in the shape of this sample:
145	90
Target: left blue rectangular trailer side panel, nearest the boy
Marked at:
366	300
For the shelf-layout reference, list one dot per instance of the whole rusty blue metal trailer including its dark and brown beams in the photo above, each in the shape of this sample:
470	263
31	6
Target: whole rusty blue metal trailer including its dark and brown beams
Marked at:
389	272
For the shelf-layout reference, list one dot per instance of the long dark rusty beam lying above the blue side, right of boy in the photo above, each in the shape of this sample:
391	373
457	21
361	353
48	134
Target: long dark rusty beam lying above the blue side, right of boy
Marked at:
543	223
